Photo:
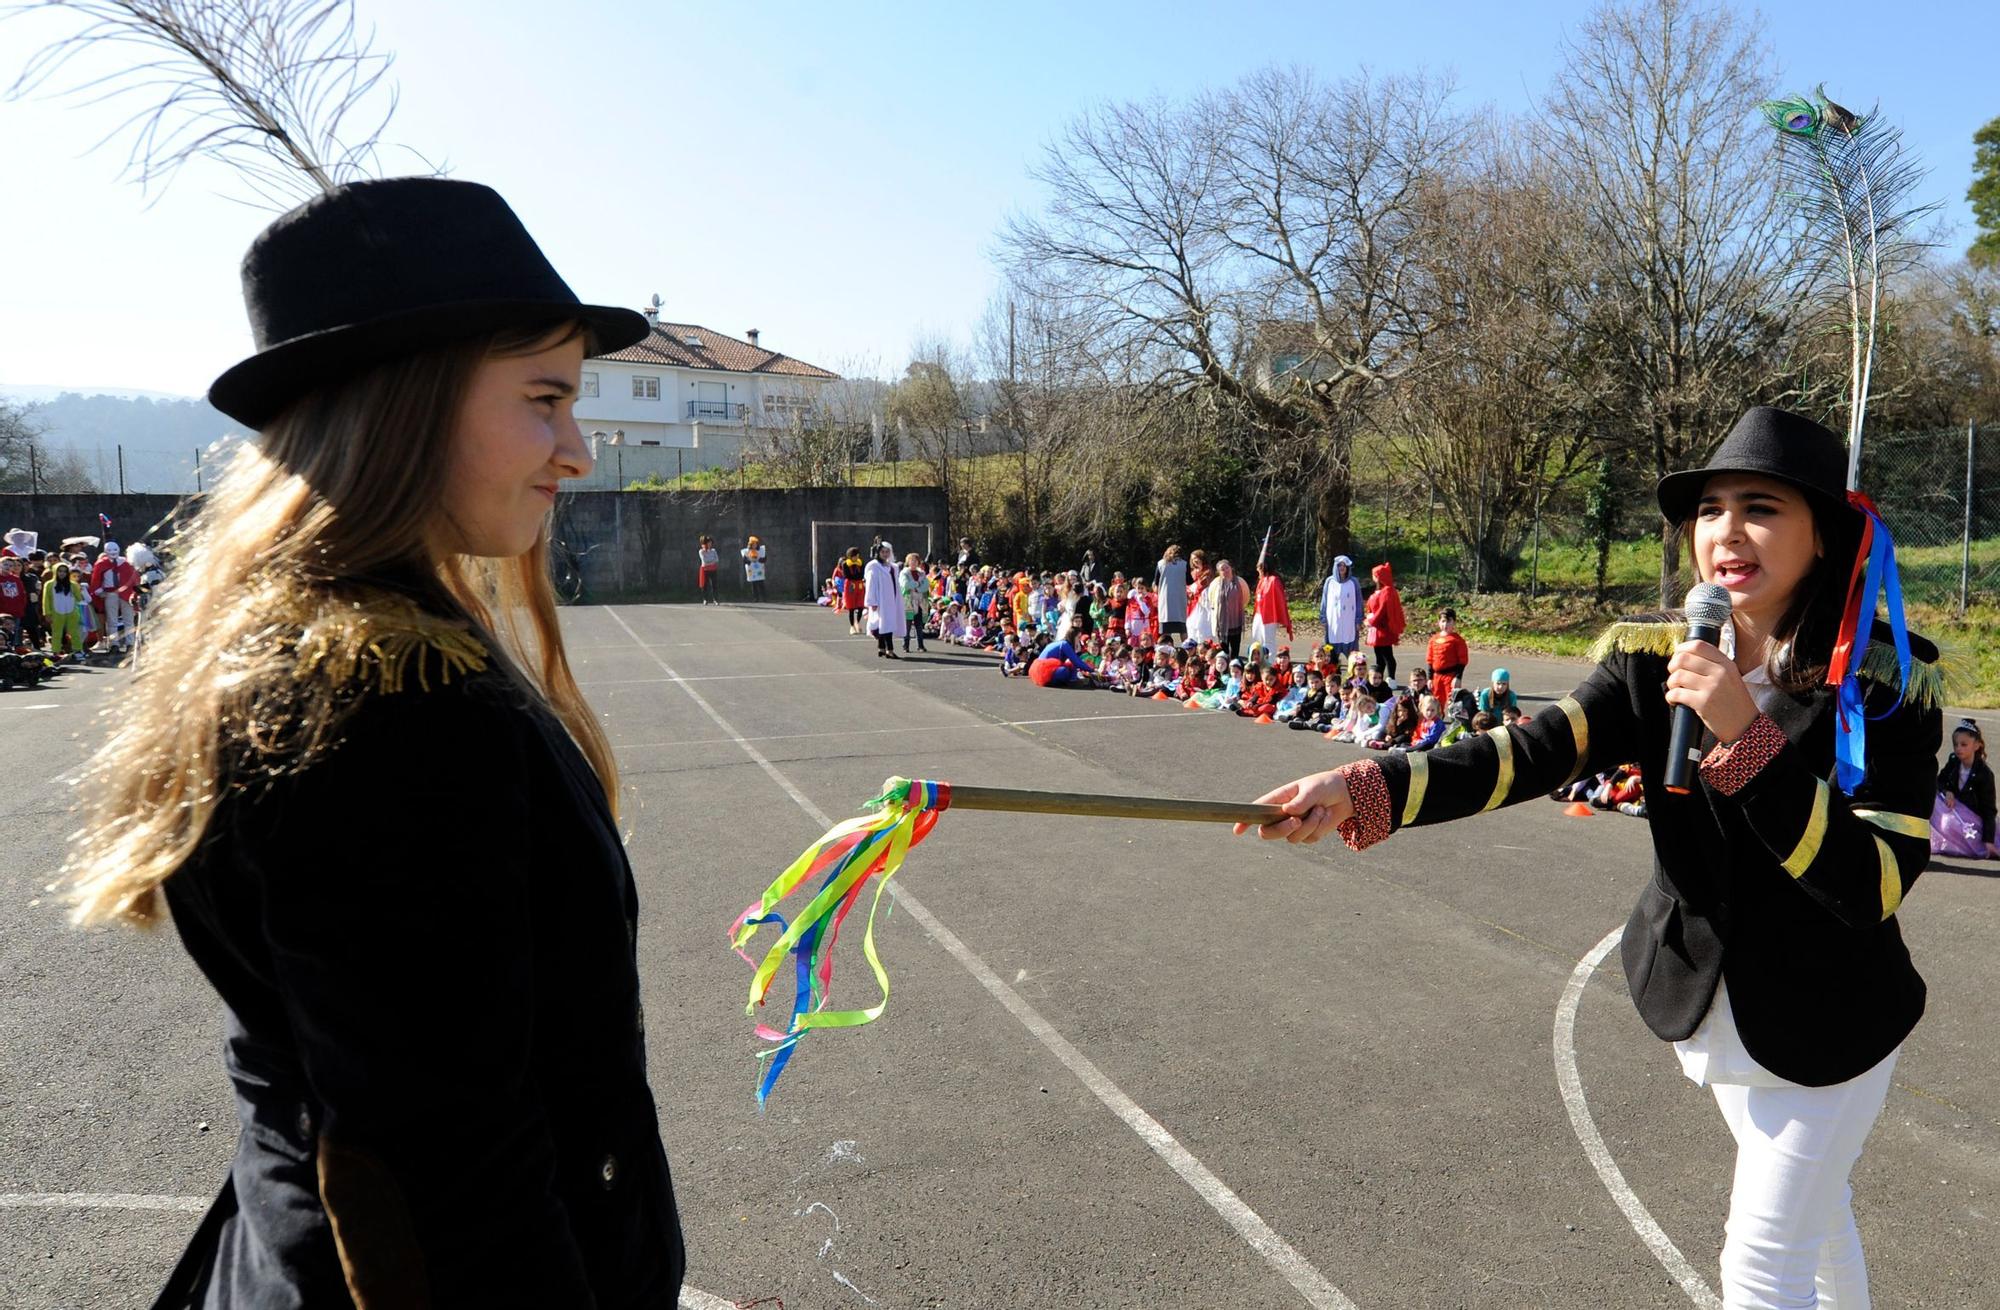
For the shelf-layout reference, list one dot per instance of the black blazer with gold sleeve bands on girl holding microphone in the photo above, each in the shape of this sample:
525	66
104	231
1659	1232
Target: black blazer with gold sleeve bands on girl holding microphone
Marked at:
1787	889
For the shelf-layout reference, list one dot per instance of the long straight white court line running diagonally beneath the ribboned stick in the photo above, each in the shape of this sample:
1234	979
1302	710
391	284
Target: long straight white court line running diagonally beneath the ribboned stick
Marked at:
1247	1223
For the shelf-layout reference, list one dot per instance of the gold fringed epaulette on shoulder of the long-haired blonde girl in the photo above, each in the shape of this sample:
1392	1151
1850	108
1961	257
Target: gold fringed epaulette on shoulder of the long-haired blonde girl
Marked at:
379	643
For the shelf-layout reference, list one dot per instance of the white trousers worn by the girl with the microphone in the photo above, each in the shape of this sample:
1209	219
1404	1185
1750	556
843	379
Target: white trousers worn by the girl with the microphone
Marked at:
1791	1235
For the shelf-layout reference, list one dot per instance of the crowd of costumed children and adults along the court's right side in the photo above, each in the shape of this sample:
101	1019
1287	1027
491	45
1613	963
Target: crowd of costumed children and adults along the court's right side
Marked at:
1207	639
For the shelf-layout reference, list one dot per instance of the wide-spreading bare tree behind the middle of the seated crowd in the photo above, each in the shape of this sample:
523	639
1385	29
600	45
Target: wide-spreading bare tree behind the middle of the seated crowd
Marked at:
1197	241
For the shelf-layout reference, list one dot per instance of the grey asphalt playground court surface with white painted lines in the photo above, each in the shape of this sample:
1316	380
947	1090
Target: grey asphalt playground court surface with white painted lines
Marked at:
1123	1065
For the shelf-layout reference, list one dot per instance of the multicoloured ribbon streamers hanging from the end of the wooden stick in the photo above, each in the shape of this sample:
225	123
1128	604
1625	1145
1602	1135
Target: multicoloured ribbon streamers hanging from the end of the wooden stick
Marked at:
849	857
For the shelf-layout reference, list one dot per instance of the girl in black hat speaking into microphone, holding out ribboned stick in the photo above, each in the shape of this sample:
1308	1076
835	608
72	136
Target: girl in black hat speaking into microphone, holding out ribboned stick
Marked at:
1771	883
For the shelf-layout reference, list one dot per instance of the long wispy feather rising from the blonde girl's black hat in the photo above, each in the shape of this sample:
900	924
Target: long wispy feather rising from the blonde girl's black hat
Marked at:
261	85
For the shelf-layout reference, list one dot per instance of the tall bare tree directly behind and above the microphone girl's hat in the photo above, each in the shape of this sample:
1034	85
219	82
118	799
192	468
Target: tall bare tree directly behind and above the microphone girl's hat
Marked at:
1655	119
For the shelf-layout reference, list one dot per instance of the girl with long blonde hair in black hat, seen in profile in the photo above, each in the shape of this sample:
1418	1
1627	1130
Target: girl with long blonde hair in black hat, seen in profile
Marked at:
433	1009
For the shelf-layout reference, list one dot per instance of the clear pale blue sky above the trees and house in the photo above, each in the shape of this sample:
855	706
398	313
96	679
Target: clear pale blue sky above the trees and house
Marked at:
829	173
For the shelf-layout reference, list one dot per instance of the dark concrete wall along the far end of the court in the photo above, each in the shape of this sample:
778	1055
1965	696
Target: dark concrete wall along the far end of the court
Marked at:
629	545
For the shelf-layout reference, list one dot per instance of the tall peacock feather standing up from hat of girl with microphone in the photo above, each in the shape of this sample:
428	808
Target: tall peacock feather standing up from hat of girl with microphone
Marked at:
1853	185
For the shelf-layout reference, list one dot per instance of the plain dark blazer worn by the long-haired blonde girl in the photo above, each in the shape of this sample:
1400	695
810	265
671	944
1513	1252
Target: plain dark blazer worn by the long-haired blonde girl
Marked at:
425	949
